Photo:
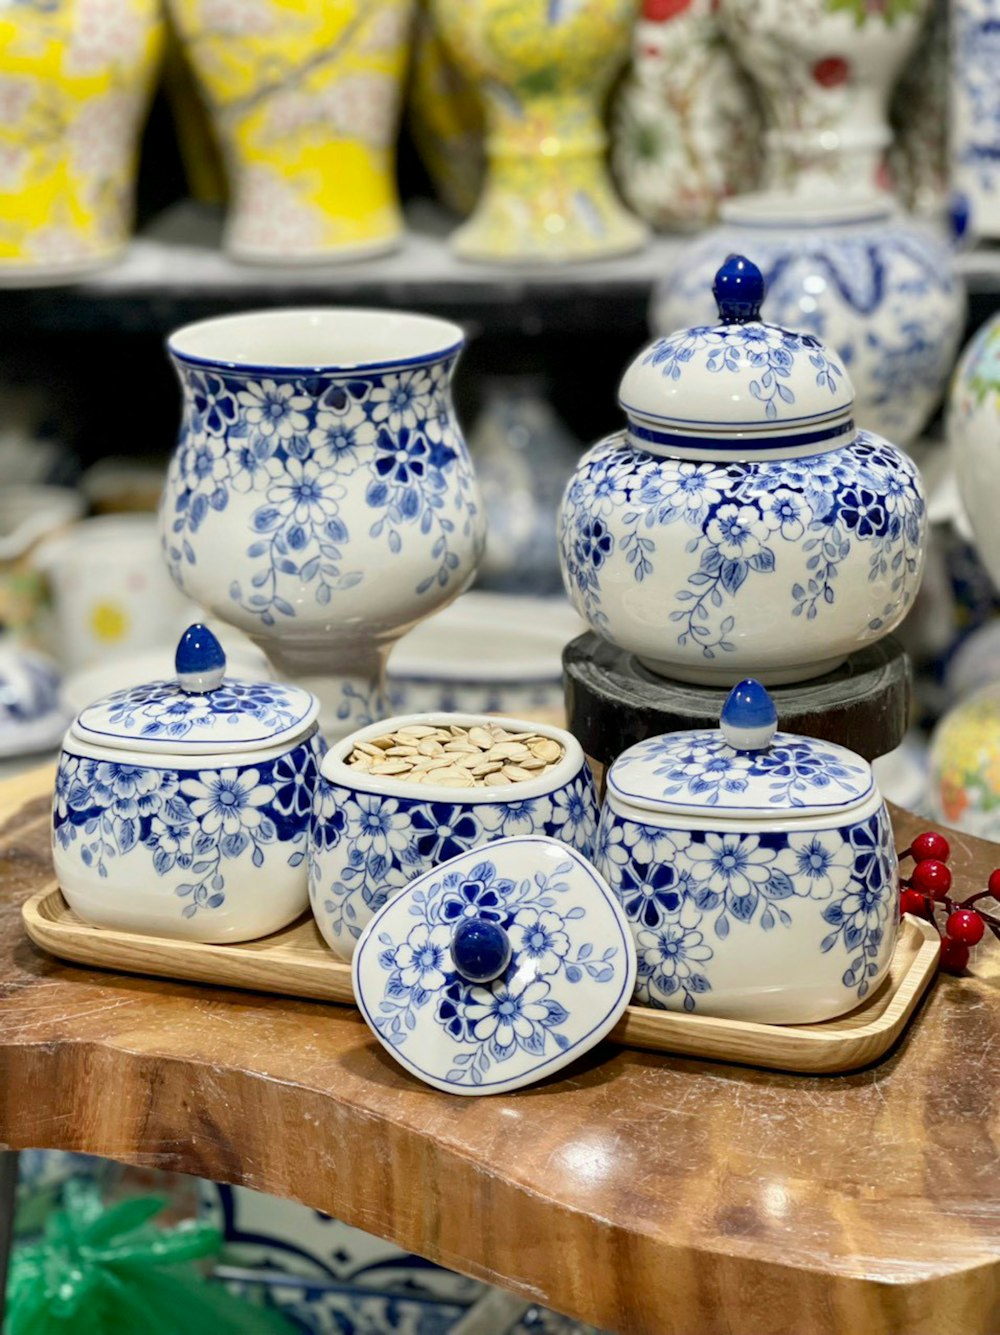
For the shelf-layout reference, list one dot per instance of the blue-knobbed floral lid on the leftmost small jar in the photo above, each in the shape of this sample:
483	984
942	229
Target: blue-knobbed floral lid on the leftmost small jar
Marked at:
200	711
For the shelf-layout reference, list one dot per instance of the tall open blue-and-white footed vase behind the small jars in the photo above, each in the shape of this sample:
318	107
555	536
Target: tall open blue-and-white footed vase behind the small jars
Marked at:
321	497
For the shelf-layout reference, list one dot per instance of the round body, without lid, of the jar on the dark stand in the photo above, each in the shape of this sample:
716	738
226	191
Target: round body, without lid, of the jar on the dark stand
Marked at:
712	572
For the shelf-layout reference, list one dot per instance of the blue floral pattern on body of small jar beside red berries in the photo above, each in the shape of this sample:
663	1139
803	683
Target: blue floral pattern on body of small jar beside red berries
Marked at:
686	892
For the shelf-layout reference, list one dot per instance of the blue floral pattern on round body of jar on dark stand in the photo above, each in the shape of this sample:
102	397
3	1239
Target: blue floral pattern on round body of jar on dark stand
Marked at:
792	523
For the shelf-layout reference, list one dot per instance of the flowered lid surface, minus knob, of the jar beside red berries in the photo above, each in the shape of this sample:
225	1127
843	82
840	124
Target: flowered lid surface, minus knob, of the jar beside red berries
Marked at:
703	770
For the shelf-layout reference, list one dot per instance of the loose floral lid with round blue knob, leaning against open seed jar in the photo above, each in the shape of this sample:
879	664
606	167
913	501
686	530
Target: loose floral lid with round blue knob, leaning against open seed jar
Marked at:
497	969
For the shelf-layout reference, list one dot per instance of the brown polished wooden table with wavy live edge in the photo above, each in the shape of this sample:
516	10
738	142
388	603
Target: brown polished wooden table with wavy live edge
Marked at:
640	1193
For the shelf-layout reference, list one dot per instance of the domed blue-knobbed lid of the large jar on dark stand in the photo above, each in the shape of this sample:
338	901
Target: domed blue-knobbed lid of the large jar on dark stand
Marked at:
742	389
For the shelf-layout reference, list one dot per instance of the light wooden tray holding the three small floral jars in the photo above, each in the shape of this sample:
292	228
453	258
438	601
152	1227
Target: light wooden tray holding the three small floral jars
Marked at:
298	963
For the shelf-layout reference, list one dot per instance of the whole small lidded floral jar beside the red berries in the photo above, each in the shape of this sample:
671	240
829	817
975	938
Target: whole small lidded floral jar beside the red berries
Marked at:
756	868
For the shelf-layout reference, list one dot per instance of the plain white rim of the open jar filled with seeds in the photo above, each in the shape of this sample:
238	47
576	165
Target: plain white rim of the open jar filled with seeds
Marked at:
337	771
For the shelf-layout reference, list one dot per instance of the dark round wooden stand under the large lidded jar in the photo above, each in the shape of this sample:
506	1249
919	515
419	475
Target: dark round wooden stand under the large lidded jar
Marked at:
613	702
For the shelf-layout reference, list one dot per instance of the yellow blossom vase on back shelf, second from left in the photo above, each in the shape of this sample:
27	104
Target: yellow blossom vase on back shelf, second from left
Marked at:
305	97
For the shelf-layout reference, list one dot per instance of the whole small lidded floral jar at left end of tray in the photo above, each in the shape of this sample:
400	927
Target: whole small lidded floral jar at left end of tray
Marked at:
182	807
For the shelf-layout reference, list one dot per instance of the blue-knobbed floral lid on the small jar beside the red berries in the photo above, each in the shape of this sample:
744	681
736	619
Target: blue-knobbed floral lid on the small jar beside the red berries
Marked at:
744	768
